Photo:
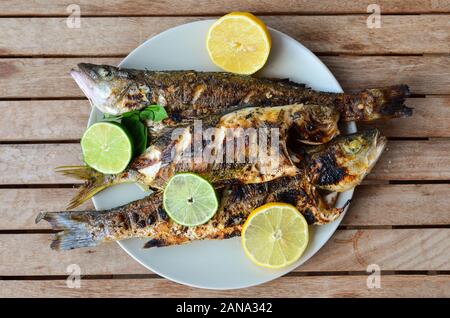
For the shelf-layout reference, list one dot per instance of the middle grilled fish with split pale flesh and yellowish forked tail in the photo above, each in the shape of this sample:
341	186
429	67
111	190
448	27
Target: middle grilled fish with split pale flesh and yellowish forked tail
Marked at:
258	153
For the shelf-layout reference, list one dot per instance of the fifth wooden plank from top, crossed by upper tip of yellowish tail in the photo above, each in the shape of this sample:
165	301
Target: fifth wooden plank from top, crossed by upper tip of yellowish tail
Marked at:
402	160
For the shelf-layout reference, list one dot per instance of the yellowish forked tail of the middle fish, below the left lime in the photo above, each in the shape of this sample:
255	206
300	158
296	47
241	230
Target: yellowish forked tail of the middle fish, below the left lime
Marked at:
94	182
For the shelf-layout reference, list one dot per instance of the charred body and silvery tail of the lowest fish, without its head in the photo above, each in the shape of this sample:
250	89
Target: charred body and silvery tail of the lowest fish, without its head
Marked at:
146	218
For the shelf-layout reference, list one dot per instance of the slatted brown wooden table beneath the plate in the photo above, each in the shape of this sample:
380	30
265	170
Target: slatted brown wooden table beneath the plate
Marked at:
399	218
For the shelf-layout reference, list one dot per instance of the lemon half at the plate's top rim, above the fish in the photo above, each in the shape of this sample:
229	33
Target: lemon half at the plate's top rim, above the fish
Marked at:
239	42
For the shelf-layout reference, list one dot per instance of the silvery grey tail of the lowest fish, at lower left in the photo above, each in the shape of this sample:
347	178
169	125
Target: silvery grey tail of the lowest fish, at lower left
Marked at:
73	227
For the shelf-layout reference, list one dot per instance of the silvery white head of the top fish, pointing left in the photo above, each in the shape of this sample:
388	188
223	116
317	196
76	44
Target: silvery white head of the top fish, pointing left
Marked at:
110	89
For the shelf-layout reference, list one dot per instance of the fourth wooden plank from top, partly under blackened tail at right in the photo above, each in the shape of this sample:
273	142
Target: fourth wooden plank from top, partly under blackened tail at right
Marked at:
66	119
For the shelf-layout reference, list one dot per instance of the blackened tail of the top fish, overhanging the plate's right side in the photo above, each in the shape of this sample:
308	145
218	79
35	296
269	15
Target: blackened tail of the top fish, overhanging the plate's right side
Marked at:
376	103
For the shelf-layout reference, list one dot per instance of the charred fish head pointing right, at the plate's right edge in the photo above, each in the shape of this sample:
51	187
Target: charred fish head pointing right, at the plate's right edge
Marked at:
343	163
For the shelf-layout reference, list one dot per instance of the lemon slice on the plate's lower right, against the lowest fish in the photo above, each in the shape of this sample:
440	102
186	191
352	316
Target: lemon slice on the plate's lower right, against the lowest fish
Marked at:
275	235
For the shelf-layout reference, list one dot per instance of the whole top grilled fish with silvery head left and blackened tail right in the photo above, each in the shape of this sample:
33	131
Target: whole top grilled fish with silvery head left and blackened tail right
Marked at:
189	94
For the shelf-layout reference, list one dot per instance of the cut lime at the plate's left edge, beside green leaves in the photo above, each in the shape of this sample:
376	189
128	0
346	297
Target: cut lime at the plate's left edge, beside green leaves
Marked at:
107	147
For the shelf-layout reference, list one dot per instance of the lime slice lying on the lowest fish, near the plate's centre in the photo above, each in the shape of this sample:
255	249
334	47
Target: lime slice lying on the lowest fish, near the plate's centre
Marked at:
189	199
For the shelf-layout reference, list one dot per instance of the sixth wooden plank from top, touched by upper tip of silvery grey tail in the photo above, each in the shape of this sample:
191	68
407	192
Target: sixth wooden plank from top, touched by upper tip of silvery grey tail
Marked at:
372	205
